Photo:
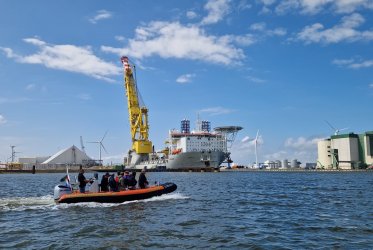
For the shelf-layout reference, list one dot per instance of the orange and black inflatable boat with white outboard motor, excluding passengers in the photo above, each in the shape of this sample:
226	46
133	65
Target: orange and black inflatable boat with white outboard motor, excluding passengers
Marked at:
65	194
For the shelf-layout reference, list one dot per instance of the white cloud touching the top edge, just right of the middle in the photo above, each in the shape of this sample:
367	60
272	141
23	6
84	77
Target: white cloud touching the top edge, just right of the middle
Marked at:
217	9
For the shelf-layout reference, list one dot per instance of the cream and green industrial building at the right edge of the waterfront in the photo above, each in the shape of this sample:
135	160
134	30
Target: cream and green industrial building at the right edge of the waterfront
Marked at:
346	151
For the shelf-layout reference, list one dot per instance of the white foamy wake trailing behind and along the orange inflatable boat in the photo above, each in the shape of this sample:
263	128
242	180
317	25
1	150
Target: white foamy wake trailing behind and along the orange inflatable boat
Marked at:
47	202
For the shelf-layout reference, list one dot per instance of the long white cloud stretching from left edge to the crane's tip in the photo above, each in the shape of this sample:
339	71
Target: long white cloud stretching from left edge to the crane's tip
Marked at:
67	57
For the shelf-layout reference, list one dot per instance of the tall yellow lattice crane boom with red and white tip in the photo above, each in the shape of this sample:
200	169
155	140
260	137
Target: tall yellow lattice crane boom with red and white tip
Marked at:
138	116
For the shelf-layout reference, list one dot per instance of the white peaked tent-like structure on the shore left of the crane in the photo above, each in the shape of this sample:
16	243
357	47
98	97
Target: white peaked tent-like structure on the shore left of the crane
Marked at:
69	156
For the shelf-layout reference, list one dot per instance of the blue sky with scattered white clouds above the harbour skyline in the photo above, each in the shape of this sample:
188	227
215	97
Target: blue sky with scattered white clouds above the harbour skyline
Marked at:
283	67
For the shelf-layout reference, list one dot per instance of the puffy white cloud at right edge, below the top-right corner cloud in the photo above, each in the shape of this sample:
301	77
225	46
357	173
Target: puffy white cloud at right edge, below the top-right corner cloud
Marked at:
344	31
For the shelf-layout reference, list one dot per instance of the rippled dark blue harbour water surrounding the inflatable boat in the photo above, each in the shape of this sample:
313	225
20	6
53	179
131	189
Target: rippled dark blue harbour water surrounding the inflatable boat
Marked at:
246	210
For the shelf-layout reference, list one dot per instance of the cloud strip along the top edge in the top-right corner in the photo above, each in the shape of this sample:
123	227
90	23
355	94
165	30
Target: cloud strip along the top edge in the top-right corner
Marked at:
316	6
